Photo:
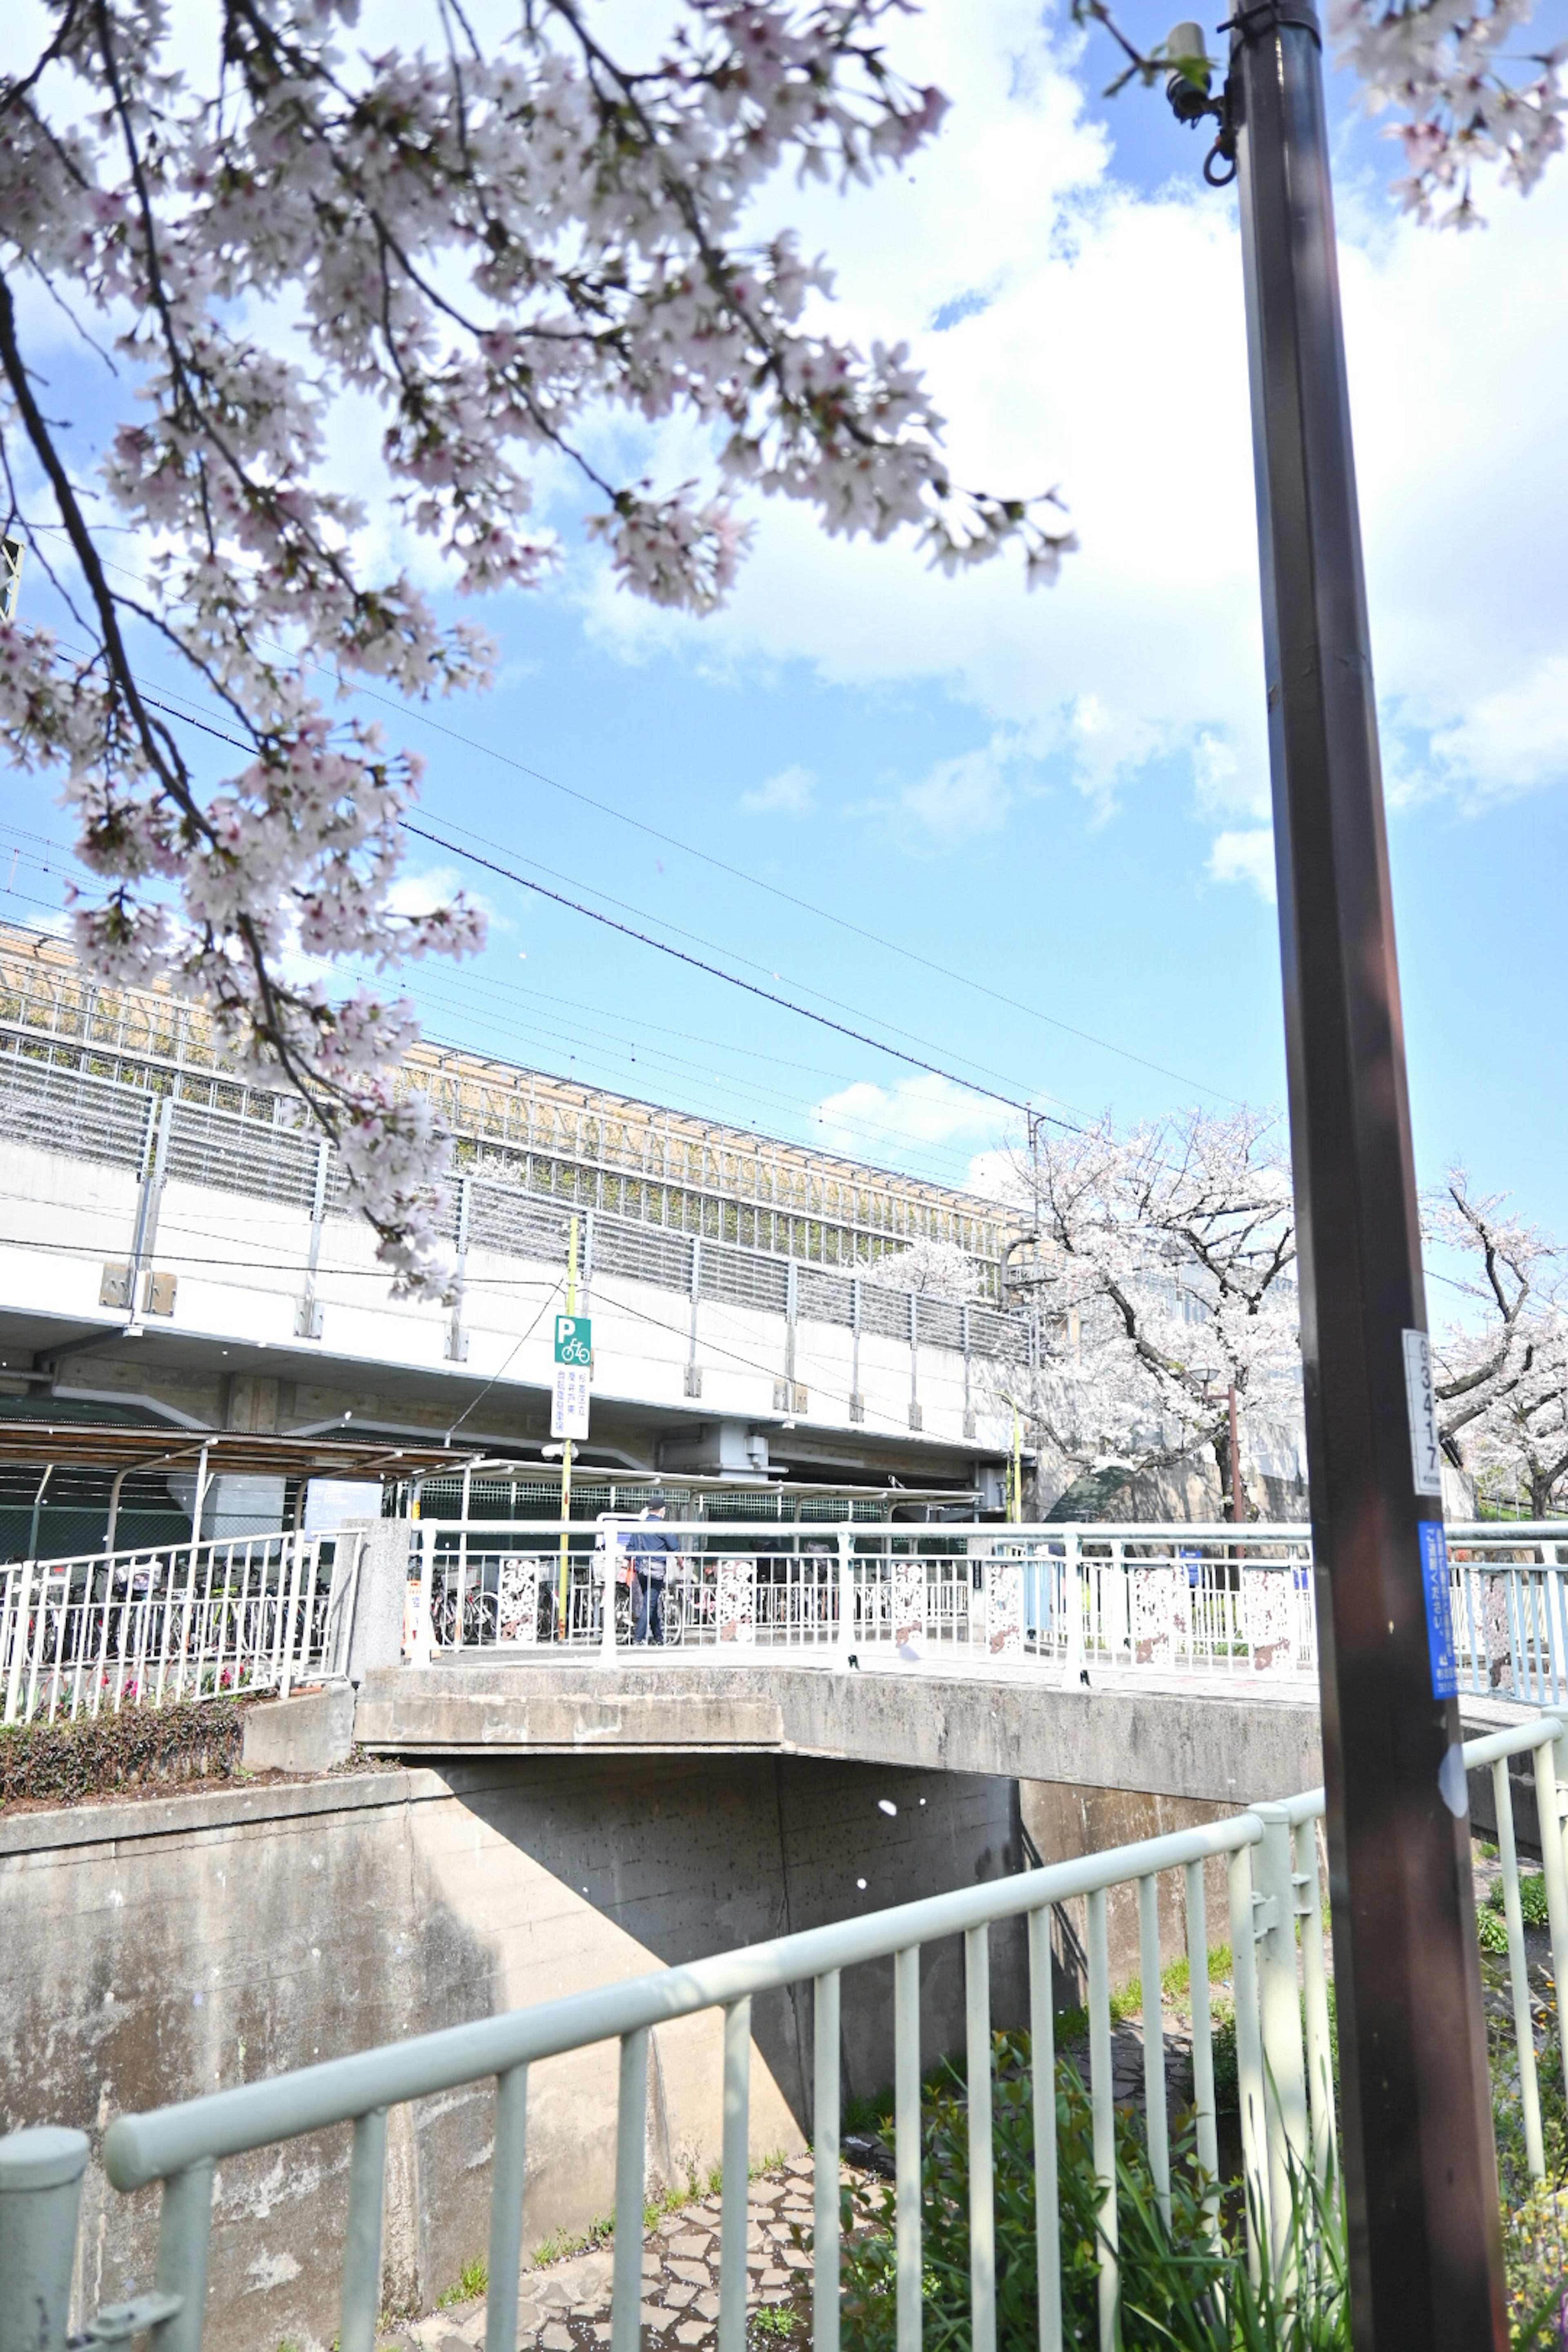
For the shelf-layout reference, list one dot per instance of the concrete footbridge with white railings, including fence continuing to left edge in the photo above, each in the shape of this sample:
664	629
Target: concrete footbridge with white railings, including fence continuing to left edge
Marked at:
1167	1659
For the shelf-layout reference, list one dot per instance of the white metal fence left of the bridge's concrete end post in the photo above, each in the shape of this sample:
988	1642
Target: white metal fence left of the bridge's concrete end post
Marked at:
152	1626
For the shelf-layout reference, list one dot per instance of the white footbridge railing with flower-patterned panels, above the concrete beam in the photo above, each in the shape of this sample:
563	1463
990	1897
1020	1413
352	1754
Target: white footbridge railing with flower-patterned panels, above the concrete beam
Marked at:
1188	1598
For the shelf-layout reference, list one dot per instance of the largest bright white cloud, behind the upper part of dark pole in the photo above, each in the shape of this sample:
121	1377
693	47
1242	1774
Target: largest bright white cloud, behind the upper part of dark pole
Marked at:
1108	356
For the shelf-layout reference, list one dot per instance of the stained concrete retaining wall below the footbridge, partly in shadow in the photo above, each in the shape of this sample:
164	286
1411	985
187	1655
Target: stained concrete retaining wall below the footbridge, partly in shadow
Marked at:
173	1946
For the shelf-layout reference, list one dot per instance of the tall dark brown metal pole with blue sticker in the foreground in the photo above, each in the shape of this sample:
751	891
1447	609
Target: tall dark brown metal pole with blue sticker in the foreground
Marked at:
1421	2177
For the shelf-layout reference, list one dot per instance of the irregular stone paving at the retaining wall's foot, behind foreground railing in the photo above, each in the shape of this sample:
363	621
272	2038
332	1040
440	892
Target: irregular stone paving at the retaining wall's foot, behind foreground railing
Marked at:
565	2306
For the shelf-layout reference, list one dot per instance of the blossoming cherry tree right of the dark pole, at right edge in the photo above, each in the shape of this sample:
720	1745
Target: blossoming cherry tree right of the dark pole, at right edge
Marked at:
1501	1372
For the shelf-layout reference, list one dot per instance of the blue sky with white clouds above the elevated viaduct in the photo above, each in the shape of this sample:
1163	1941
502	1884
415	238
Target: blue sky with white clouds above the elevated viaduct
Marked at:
1059	796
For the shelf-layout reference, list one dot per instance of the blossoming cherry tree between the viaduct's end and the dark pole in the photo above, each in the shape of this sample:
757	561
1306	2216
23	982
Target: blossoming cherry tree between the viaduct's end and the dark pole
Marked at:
1162	1276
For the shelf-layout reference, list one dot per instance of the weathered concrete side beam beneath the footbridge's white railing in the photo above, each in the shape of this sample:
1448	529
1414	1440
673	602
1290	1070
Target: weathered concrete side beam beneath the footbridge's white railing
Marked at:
1209	1746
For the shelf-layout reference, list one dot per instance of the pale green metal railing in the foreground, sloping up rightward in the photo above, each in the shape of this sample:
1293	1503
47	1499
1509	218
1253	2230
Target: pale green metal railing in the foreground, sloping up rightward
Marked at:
1285	2064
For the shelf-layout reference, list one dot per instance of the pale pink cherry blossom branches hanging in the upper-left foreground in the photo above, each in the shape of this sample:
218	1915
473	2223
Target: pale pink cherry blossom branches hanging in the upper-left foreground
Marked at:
481	236
